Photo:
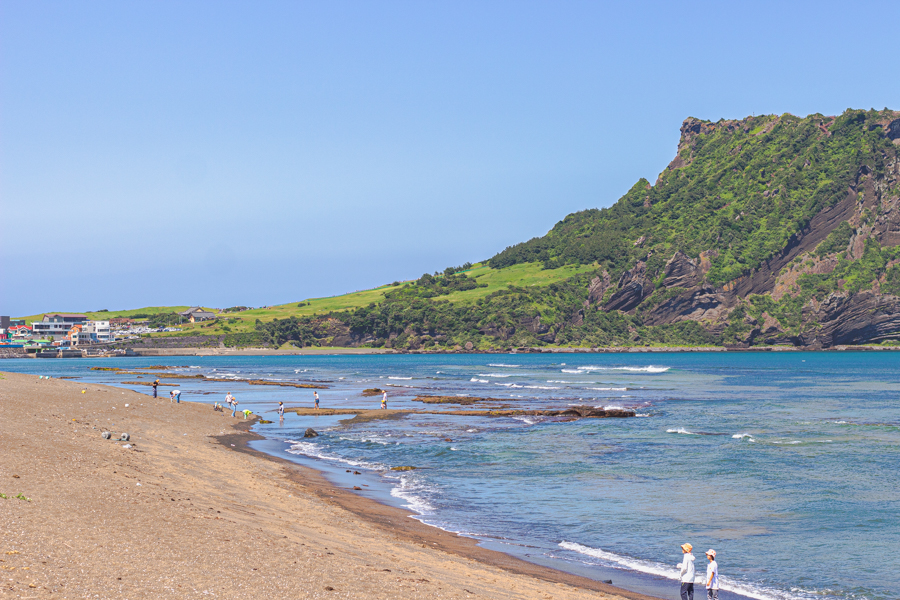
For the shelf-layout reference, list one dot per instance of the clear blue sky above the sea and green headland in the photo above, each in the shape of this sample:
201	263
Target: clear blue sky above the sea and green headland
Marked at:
226	153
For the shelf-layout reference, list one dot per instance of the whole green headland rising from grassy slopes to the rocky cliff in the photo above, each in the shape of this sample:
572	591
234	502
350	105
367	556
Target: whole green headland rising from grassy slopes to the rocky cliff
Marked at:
769	230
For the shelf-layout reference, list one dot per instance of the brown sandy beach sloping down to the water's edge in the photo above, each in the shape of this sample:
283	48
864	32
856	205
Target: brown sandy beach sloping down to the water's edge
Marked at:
189	510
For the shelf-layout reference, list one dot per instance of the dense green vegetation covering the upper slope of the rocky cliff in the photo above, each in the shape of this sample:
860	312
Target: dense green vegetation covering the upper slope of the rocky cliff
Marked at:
743	188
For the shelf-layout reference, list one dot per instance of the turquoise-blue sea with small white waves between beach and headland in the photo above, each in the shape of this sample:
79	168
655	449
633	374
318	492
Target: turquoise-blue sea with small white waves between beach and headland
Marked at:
785	463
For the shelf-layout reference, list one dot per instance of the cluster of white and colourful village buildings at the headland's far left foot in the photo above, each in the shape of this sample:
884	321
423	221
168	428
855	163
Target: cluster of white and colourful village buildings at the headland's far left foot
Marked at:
74	335
